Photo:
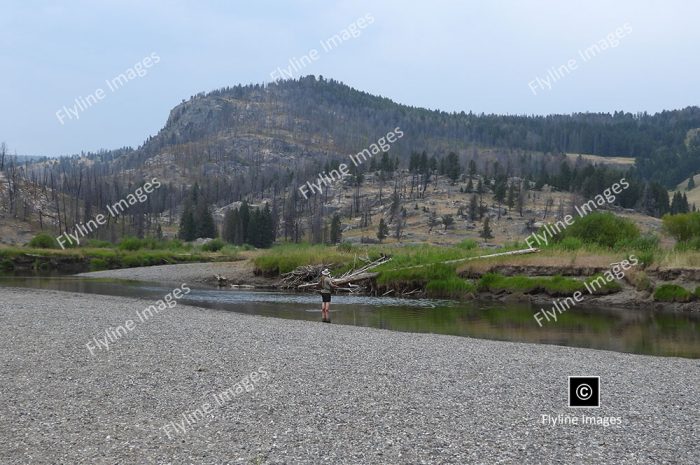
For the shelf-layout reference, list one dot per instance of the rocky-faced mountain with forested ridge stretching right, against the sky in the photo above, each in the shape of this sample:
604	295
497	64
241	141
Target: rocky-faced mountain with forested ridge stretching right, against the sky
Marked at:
315	115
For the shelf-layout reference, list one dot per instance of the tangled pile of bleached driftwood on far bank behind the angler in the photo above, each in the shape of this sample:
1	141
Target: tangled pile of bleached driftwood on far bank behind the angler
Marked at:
354	280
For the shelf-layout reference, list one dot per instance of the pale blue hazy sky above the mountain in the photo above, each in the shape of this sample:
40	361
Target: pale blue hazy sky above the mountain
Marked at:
507	57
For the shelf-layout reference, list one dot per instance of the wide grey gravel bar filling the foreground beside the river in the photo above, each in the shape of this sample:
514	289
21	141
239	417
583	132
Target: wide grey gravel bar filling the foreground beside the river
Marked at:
321	394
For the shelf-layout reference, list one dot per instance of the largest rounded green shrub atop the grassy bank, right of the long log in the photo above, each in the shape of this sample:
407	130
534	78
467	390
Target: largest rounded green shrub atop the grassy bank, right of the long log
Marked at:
599	228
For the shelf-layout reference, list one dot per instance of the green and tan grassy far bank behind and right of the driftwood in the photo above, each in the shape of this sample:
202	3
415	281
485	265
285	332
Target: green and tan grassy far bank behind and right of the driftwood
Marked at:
421	268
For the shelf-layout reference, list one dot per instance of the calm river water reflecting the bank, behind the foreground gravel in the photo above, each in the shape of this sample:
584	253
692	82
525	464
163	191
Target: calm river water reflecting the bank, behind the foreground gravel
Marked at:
667	334
